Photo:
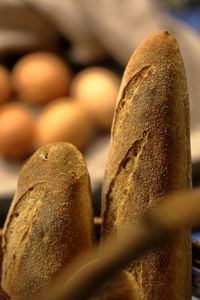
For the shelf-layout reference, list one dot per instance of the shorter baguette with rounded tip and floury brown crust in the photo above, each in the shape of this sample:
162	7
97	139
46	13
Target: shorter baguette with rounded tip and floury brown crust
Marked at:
50	222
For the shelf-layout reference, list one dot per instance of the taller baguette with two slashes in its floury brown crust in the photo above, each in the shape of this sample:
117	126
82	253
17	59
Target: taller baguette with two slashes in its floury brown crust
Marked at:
149	157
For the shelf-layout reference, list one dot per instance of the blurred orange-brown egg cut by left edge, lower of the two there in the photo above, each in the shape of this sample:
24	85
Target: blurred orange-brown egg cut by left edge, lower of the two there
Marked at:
16	130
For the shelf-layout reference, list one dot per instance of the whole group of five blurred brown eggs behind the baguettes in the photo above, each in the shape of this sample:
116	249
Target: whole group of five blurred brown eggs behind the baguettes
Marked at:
71	107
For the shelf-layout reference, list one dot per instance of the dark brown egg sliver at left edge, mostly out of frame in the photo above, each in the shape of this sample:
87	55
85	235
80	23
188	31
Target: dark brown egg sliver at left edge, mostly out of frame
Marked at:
5	84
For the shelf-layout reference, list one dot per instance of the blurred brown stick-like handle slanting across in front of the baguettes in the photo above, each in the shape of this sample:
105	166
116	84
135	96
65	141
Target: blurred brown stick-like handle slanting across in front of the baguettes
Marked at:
178	211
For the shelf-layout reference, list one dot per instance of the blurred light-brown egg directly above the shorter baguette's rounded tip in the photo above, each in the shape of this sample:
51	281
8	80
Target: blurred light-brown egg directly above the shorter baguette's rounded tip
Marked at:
64	120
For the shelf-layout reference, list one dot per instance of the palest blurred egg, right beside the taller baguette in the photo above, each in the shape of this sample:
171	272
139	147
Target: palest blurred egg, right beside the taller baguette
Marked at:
96	89
